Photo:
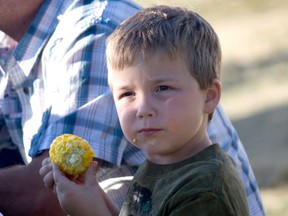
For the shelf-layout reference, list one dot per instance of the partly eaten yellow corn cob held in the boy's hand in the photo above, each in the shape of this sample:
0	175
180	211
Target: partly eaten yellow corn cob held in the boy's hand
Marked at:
71	153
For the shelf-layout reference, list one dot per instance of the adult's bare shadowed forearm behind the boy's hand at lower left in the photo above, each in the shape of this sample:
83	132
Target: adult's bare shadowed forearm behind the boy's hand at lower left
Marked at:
22	191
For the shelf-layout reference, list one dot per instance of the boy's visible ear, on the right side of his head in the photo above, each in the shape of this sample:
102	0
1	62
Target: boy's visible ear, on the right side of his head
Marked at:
213	95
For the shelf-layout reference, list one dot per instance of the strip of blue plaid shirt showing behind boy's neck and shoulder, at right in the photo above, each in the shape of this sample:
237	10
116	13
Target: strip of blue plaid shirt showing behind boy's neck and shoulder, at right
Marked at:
222	131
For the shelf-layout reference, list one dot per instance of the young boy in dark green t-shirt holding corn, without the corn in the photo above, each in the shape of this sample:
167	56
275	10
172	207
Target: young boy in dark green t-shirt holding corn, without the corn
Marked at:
164	70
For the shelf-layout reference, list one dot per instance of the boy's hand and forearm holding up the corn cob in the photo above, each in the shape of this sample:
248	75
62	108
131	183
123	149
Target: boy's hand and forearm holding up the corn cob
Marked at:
81	195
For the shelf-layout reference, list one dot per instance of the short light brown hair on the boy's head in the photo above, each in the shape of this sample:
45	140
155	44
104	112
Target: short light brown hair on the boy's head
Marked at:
177	32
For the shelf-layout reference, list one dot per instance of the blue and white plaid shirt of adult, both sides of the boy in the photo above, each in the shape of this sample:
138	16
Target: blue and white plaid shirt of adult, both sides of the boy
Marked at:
56	82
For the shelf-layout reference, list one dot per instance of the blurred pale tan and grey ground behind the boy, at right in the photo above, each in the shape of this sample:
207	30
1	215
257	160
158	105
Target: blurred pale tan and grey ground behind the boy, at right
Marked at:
254	39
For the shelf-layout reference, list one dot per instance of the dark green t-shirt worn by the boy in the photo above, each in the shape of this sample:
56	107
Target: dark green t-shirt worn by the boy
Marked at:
205	184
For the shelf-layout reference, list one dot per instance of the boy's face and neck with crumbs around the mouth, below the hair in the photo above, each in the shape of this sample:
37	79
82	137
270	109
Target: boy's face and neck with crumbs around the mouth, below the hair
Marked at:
161	108
